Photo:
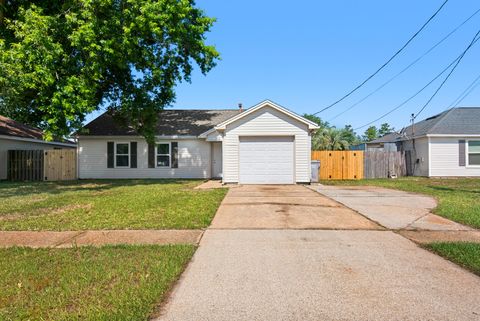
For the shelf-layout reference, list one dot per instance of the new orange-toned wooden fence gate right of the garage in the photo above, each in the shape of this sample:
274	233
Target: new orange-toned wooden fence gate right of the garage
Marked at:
339	164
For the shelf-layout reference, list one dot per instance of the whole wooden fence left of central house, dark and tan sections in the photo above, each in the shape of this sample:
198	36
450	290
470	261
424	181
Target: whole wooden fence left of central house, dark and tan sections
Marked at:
42	165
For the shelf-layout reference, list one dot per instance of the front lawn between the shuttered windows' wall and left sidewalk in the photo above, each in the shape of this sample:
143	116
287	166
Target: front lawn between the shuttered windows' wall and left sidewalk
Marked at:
107	204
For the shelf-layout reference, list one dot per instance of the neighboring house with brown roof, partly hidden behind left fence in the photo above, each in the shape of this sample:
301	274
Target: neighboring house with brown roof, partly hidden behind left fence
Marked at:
17	136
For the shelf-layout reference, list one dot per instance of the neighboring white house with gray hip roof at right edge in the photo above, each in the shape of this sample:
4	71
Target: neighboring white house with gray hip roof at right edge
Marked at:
444	145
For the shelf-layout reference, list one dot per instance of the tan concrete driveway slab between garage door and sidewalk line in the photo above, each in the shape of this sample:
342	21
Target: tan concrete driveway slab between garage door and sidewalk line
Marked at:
284	207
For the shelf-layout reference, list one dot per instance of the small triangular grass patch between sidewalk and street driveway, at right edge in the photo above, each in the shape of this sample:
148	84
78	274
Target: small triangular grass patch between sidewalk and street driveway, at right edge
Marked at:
464	254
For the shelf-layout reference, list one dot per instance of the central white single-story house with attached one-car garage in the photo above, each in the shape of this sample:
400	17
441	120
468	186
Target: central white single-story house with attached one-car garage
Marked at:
266	144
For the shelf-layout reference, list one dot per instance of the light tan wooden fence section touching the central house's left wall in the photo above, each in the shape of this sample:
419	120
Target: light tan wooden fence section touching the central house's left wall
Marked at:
60	164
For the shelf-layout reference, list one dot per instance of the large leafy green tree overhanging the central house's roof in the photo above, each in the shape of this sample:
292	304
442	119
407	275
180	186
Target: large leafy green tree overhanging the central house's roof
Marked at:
60	60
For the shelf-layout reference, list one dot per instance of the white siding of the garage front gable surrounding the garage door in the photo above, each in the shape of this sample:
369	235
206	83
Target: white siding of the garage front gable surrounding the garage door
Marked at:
266	122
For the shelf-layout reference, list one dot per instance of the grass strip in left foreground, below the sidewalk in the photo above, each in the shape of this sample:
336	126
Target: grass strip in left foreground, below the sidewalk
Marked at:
108	283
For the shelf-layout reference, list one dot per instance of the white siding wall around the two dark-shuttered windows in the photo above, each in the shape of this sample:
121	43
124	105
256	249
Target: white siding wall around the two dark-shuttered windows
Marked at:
193	160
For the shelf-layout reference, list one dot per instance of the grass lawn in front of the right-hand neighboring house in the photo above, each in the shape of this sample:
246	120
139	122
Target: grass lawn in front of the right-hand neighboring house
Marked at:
458	199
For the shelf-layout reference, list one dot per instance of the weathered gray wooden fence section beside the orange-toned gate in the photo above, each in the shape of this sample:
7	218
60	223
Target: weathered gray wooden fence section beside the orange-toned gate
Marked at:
384	164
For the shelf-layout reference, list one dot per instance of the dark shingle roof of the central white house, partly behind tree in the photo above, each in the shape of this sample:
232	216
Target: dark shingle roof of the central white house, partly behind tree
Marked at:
170	122
